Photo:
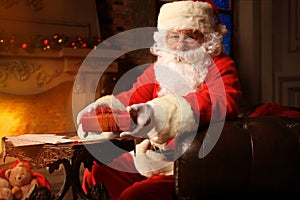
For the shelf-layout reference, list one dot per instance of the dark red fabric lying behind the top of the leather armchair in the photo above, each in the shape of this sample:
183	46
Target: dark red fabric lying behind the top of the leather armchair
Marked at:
274	109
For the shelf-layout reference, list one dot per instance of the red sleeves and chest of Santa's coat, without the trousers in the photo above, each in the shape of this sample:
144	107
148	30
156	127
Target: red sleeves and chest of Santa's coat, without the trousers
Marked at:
204	102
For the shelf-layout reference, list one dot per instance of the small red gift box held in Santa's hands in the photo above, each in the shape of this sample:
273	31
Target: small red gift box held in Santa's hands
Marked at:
106	120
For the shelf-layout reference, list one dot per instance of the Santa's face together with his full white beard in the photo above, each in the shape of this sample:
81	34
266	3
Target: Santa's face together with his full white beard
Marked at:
182	58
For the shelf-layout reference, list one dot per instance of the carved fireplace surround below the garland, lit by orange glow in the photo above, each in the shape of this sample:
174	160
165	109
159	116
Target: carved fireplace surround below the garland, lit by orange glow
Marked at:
36	90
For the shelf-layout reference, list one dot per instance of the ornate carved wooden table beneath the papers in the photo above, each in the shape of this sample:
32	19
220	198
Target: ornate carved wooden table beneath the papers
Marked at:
71	155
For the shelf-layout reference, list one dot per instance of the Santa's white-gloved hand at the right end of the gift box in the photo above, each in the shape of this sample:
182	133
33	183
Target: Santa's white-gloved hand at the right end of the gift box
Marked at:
143	116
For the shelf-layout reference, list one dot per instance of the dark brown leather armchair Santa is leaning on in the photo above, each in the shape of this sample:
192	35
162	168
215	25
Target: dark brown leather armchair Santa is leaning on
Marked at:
254	156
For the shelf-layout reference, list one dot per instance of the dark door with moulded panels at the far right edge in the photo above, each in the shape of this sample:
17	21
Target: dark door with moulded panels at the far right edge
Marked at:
286	52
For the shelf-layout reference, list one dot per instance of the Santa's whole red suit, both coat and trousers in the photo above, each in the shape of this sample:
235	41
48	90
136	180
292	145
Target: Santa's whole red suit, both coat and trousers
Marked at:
202	103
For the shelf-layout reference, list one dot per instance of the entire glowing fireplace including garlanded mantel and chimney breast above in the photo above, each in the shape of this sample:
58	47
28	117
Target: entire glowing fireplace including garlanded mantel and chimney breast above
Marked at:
42	46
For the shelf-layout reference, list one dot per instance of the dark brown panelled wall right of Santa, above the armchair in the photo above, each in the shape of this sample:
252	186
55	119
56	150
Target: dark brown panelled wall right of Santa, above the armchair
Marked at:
267	48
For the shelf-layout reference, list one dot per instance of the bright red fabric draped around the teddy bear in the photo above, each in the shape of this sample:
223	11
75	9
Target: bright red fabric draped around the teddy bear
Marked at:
40	178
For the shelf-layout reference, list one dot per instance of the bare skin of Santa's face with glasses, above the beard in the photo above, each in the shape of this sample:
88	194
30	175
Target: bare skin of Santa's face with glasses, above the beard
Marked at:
184	40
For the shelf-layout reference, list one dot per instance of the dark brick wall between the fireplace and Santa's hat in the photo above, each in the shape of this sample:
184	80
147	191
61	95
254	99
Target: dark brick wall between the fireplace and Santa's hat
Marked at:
116	16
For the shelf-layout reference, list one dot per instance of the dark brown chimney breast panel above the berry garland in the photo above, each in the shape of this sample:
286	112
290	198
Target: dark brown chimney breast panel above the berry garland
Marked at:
44	17
